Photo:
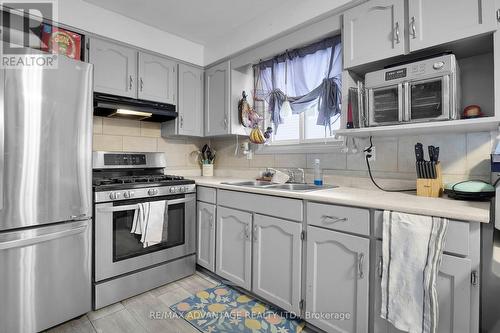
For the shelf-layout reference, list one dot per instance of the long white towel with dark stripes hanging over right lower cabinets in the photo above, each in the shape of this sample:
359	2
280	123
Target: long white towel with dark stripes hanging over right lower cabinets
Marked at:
411	255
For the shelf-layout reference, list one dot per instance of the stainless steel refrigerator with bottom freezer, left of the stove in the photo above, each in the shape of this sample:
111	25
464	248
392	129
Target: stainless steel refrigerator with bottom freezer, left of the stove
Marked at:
45	195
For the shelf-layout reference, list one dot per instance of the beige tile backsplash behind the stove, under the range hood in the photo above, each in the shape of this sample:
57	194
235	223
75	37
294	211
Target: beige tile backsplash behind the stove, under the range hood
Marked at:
132	136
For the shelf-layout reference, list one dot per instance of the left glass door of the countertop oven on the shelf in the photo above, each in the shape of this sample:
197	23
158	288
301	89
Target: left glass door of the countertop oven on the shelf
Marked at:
385	105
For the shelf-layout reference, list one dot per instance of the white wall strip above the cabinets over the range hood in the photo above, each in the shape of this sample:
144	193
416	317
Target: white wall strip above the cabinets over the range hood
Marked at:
85	16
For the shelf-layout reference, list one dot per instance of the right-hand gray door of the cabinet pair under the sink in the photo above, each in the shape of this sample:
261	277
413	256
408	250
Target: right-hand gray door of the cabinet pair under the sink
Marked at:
277	261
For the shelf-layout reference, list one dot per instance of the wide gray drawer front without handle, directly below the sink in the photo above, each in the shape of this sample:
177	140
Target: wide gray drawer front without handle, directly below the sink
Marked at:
290	209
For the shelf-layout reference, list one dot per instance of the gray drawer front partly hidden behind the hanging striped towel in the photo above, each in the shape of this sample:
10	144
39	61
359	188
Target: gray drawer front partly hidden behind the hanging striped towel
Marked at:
457	235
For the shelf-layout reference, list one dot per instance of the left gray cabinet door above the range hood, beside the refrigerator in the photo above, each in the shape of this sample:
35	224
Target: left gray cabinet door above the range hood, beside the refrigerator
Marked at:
115	68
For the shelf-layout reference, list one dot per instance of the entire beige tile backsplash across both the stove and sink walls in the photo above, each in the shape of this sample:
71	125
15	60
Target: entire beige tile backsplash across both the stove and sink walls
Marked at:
463	156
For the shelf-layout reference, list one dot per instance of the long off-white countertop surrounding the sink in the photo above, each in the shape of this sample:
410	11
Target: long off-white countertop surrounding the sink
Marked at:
408	203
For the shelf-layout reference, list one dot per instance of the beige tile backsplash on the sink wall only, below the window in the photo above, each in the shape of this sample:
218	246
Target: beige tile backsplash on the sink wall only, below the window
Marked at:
463	156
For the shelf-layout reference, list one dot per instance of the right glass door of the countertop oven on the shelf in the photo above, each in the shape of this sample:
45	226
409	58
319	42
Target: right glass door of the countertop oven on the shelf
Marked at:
429	99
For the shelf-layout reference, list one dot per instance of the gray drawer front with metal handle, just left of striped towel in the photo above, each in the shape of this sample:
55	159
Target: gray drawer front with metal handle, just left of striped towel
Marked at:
341	218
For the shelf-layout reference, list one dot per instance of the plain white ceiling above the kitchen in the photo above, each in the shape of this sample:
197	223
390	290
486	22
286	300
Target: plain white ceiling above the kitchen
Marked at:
223	27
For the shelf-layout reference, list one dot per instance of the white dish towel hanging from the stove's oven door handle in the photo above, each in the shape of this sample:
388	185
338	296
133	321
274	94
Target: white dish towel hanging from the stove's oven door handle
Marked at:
148	221
